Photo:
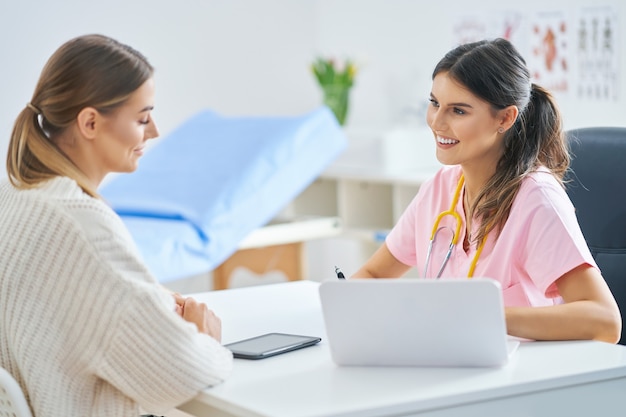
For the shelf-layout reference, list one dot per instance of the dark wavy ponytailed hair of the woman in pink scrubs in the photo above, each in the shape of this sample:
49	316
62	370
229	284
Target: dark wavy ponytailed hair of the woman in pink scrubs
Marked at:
496	72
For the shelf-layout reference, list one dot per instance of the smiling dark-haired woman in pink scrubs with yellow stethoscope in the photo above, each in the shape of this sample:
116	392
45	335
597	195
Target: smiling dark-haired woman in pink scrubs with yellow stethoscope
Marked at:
505	209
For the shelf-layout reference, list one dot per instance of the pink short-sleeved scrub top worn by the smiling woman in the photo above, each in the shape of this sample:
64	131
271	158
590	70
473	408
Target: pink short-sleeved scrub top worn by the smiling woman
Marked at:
540	241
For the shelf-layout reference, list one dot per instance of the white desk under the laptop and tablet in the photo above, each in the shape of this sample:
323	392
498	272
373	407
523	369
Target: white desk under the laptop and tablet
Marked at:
543	378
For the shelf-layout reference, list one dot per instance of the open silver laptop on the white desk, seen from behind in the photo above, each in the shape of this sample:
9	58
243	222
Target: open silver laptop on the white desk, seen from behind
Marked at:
416	322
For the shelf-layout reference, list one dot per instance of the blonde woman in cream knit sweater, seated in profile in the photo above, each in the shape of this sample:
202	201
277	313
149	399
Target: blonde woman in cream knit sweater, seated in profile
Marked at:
84	327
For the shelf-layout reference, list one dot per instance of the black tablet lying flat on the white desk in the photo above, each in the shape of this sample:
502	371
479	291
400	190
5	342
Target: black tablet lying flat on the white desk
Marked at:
270	344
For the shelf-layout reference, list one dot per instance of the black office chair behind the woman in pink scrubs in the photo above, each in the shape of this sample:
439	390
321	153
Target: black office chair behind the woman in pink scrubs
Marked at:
597	188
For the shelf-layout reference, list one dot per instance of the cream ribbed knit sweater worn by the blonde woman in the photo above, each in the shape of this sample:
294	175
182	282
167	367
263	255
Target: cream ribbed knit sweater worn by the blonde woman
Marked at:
84	327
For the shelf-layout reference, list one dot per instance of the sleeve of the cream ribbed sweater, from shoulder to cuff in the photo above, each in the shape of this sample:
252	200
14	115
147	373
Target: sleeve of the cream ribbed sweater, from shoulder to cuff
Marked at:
150	353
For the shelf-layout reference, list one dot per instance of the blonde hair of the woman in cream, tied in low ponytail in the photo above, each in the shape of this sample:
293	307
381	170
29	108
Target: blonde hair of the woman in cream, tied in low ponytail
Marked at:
87	71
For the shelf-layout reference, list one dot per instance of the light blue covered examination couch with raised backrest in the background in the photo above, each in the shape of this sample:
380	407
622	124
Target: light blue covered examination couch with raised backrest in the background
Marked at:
203	188
